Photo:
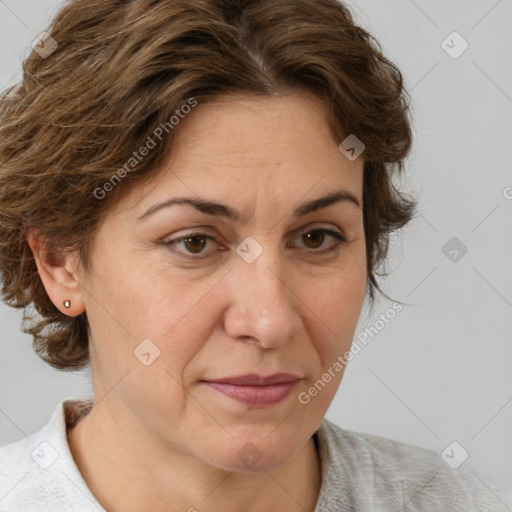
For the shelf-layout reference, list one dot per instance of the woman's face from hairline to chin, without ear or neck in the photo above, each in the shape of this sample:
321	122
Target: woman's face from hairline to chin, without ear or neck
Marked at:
259	294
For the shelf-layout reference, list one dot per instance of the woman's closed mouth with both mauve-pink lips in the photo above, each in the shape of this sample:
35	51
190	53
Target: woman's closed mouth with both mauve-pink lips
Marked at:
255	390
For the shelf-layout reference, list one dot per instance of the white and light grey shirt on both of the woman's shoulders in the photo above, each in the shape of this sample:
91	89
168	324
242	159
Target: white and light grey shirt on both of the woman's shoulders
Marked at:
360	472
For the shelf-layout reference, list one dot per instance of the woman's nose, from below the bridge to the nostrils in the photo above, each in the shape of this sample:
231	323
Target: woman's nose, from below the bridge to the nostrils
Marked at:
263	304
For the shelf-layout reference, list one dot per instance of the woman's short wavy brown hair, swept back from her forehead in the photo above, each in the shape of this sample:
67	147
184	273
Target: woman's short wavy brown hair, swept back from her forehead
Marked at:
124	67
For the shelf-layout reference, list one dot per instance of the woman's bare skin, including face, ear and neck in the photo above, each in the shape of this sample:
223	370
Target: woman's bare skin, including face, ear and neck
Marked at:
158	438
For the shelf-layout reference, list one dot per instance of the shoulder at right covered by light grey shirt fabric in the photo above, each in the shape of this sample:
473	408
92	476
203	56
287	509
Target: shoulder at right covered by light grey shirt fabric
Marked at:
413	478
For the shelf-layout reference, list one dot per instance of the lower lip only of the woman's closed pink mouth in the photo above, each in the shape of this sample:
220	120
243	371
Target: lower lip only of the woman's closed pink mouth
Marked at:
256	395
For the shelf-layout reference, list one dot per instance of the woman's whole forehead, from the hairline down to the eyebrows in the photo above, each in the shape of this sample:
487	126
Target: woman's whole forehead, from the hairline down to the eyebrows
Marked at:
281	146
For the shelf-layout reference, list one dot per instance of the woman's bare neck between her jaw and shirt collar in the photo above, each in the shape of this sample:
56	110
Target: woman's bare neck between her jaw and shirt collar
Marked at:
110	458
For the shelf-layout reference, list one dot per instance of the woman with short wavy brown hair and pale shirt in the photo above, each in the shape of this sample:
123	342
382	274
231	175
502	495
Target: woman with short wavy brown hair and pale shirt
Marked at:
195	198
